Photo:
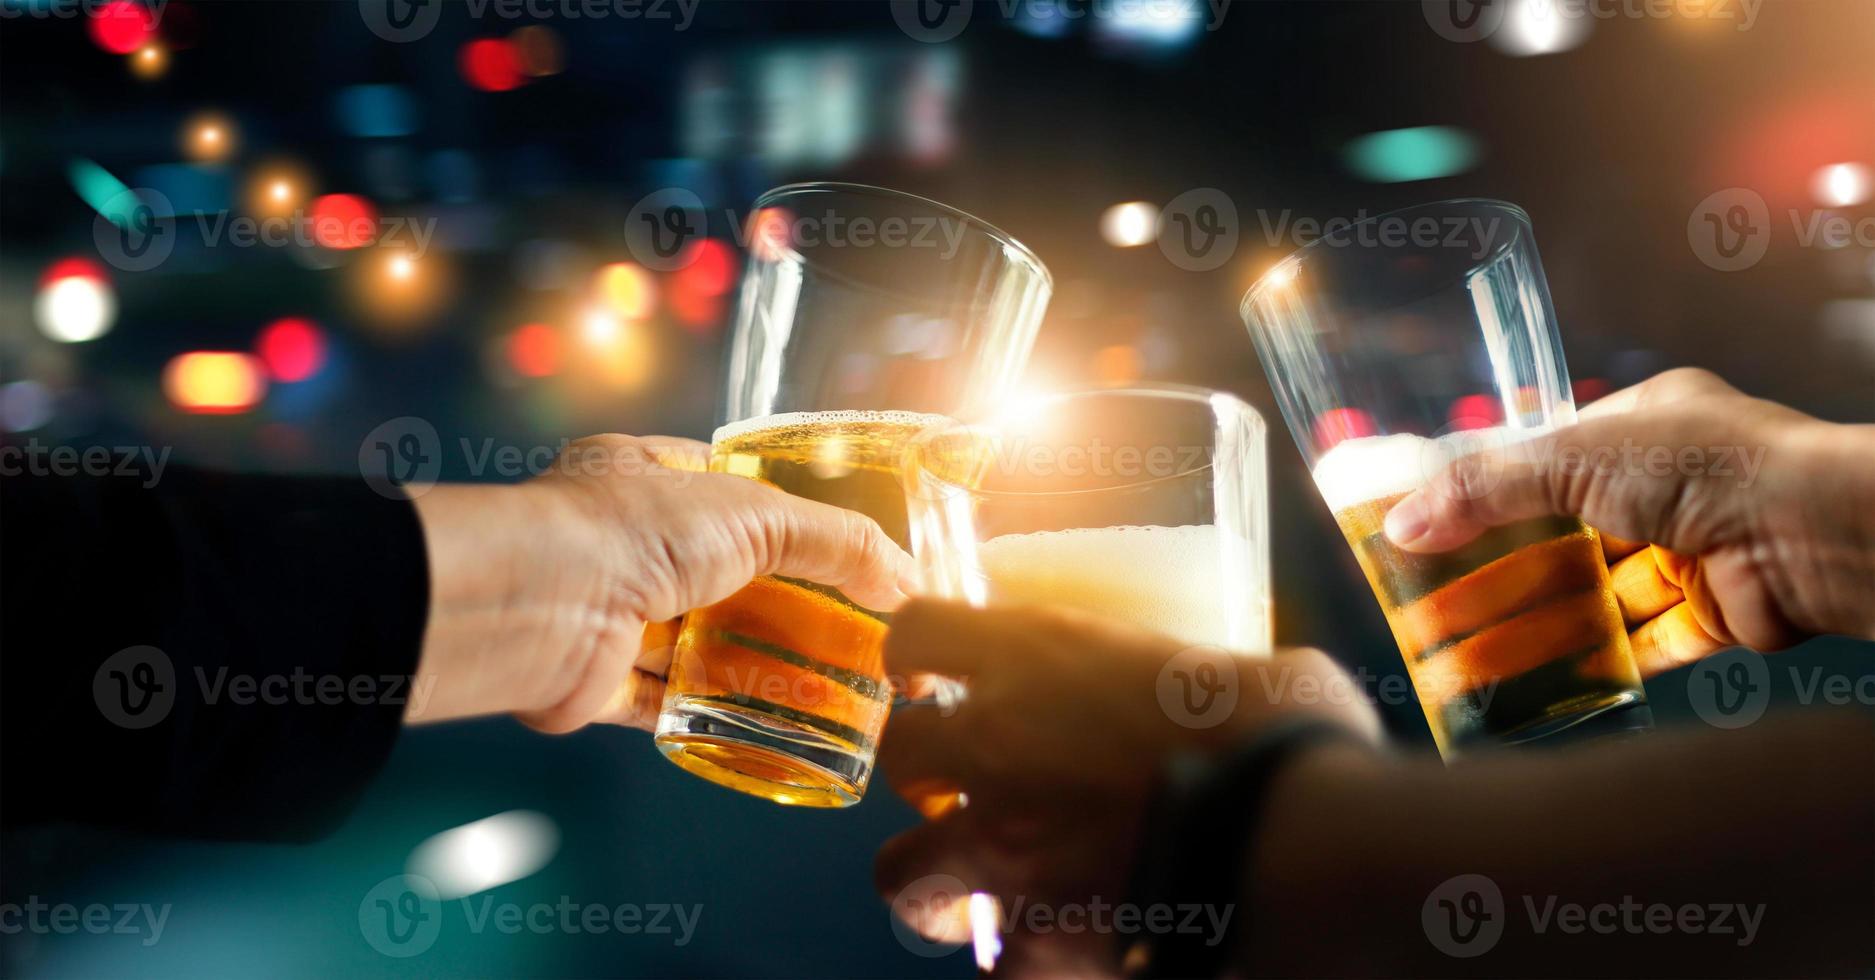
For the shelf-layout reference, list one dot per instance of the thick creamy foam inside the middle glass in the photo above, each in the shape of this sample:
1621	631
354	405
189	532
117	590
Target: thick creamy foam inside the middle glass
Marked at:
1160	578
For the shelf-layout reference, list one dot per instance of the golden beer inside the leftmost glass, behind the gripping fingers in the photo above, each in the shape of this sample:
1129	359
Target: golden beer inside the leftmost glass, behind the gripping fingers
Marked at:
781	690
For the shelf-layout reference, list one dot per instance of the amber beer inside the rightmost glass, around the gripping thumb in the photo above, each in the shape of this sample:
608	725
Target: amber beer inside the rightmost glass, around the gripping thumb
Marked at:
1508	638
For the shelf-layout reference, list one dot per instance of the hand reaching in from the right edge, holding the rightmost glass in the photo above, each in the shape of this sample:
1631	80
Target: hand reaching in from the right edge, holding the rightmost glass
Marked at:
1762	518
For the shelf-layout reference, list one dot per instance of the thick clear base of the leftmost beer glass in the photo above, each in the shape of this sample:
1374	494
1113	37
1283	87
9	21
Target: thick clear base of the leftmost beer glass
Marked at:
764	756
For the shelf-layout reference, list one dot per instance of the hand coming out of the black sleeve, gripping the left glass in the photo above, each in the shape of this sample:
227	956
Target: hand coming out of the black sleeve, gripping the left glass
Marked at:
541	593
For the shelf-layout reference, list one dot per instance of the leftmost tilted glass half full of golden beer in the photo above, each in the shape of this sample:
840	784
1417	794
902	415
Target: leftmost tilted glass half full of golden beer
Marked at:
865	316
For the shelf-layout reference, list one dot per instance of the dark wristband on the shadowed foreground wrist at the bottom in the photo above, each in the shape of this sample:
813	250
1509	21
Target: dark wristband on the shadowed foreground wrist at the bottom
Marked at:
1197	839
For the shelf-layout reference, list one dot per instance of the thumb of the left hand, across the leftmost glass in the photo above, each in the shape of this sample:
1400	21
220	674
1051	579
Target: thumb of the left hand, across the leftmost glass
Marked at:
833	546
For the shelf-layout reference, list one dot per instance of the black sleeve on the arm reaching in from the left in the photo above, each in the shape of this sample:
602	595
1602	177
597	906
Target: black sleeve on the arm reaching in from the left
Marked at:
203	655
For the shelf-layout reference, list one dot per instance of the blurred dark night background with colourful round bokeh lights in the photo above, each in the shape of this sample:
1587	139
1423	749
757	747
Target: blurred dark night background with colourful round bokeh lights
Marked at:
526	134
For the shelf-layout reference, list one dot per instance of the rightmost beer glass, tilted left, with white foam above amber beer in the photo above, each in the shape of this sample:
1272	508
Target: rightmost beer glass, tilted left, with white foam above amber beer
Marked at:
1405	344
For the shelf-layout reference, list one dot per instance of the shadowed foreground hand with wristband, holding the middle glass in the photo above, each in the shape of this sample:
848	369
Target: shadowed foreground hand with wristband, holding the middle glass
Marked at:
1057	750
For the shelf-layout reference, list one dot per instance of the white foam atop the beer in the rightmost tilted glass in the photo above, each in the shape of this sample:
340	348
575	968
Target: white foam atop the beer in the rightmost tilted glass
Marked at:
1388	466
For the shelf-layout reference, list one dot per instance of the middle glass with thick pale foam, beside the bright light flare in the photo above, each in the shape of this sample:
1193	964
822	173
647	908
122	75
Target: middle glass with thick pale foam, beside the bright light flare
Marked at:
1147	505
